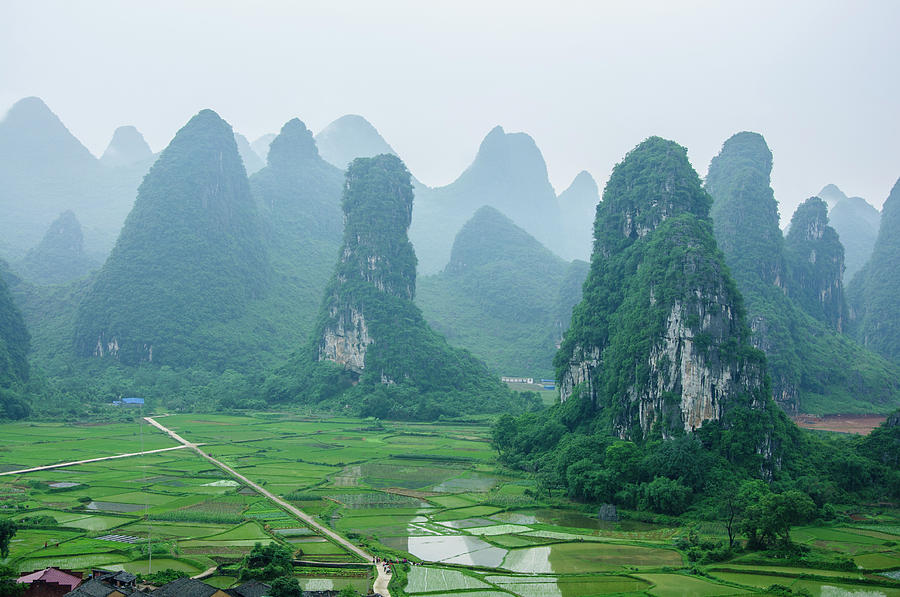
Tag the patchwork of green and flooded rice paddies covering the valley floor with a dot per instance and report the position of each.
(432, 494)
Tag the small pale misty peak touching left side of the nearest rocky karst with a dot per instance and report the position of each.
(578, 206)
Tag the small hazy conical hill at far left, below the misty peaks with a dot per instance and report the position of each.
(60, 256)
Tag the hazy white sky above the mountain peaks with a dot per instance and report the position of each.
(587, 79)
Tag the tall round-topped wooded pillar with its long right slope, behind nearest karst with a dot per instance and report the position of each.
(813, 367)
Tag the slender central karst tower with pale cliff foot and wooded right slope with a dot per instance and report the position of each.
(370, 330)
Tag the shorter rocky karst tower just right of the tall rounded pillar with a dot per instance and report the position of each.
(816, 260)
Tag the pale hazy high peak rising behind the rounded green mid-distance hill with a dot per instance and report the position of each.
(509, 174)
